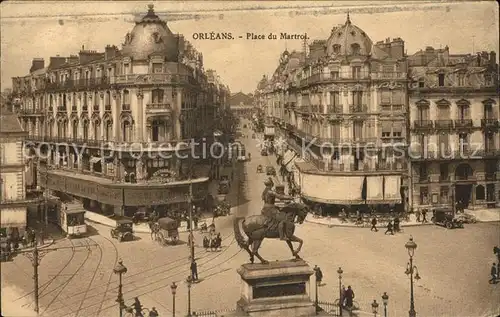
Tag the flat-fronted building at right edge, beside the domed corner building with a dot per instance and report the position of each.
(454, 128)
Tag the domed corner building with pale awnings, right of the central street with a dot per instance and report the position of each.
(341, 105)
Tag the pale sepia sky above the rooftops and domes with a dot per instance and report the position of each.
(49, 28)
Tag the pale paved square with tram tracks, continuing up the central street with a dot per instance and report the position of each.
(454, 265)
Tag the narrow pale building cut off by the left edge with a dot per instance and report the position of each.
(13, 202)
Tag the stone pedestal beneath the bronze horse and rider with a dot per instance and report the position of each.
(276, 289)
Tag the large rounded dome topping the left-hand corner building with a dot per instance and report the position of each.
(151, 35)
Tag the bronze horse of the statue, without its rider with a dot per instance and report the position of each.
(258, 227)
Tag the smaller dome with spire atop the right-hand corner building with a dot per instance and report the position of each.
(348, 39)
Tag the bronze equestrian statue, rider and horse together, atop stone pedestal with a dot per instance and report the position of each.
(273, 223)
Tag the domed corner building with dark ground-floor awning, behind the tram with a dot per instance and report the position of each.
(98, 121)
